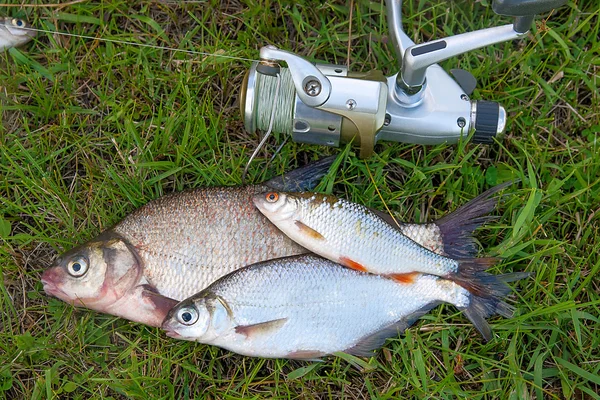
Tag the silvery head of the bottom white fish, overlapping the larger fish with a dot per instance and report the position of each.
(199, 318)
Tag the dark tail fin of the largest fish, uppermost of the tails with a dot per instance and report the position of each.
(457, 227)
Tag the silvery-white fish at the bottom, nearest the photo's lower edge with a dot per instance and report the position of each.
(306, 307)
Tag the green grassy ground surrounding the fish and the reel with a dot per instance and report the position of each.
(92, 130)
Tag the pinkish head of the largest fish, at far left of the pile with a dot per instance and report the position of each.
(94, 275)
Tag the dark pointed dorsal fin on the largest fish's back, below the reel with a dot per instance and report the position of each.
(304, 178)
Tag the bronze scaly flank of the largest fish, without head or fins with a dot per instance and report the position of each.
(208, 232)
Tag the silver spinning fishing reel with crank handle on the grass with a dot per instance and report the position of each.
(421, 104)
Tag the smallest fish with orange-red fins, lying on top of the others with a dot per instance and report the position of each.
(359, 238)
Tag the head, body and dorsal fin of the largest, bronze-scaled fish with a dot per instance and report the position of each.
(173, 247)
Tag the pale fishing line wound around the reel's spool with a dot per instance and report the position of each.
(268, 103)
